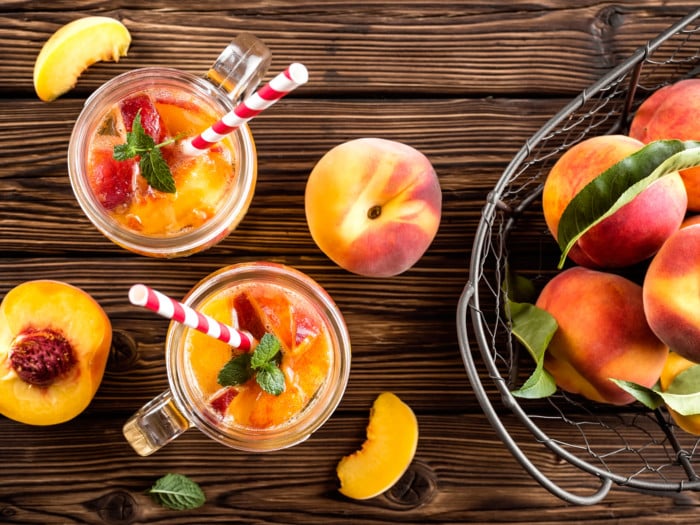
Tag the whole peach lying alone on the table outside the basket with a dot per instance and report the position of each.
(373, 206)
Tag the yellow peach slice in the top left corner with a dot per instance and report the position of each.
(73, 48)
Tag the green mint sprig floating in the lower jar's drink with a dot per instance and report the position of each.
(261, 363)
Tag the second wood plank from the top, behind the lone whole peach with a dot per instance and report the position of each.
(468, 141)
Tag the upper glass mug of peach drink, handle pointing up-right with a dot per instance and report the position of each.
(205, 195)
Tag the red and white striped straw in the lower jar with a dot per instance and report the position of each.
(142, 295)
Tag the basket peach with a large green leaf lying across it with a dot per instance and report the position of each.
(633, 233)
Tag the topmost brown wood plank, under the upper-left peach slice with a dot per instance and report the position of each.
(346, 54)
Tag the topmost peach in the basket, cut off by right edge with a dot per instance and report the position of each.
(673, 112)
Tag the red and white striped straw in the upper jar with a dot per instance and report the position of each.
(291, 78)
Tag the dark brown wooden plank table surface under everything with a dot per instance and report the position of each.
(464, 82)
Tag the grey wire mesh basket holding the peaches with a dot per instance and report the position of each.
(630, 446)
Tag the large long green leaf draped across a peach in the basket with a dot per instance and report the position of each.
(621, 183)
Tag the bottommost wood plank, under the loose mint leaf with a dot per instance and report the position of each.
(449, 484)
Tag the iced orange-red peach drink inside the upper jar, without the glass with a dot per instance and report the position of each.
(201, 182)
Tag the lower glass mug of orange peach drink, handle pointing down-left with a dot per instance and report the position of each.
(267, 300)
